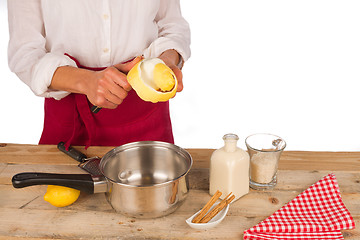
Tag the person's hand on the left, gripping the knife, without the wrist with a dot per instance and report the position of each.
(110, 87)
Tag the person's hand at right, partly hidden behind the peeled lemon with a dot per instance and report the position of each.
(172, 58)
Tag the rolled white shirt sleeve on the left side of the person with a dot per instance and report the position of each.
(27, 54)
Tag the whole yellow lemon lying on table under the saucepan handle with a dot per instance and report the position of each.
(61, 196)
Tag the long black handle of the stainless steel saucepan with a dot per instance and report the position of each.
(82, 182)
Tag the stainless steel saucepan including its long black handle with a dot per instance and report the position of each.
(141, 179)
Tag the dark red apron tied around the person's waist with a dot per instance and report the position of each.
(70, 120)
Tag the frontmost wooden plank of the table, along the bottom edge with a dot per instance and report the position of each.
(90, 224)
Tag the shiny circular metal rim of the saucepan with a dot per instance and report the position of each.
(176, 148)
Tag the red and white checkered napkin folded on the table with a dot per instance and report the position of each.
(317, 213)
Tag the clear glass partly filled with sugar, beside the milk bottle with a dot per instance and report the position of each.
(264, 150)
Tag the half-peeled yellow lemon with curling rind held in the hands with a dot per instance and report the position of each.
(152, 80)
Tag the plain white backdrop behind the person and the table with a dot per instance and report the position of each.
(285, 67)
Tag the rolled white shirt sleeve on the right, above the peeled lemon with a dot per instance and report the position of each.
(174, 31)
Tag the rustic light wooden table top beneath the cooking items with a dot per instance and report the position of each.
(24, 213)
